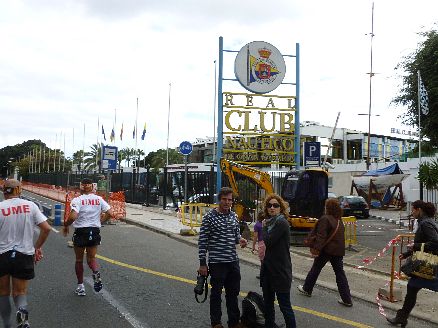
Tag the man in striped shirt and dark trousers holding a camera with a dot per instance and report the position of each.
(218, 237)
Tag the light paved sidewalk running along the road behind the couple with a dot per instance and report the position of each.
(364, 283)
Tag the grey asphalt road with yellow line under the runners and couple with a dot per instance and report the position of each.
(148, 282)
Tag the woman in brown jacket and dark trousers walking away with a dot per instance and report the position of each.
(332, 250)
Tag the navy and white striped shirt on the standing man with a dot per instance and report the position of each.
(218, 236)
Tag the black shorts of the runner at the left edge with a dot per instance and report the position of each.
(17, 265)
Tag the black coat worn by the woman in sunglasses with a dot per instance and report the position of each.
(277, 265)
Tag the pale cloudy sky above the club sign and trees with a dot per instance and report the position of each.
(67, 63)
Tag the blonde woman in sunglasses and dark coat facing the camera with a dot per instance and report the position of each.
(276, 268)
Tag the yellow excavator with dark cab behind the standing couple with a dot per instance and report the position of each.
(305, 191)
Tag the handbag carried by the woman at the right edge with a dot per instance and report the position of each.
(421, 264)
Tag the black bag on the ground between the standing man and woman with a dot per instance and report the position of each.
(253, 311)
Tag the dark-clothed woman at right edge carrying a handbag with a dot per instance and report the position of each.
(427, 233)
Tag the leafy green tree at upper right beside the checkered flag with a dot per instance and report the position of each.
(425, 60)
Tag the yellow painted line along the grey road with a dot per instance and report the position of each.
(192, 282)
